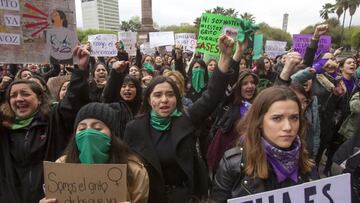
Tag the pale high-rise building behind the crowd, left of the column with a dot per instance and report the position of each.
(100, 14)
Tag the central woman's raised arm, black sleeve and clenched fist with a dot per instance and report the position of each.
(207, 103)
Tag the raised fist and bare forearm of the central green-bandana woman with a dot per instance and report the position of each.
(226, 45)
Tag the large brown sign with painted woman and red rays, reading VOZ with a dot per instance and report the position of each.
(31, 33)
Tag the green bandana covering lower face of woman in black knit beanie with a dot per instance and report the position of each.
(93, 146)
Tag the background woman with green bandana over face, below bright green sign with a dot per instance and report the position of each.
(197, 79)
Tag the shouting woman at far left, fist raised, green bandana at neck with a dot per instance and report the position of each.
(33, 130)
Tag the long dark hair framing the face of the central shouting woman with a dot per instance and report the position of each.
(146, 107)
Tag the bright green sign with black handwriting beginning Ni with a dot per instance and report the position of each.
(211, 27)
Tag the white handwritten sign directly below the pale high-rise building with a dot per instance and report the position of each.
(103, 45)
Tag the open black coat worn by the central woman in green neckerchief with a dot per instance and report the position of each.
(137, 136)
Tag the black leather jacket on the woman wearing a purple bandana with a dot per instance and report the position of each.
(231, 182)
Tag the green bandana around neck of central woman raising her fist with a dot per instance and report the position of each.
(162, 123)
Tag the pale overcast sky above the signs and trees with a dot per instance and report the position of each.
(173, 12)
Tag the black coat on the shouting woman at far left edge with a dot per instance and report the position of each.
(22, 156)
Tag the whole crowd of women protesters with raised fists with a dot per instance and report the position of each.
(189, 130)
